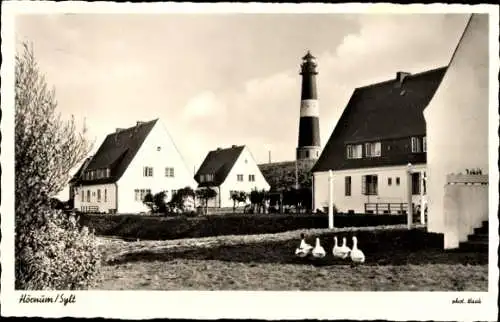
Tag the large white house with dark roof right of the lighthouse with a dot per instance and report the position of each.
(381, 130)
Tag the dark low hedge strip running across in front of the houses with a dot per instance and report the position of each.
(162, 228)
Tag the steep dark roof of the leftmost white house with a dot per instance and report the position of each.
(116, 153)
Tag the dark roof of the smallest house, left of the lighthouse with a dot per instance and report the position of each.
(218, 163)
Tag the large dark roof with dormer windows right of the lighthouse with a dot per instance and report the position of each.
(382, 111)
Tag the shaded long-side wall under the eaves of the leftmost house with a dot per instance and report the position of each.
(104, 205)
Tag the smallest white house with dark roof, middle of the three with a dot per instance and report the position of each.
(229, 170)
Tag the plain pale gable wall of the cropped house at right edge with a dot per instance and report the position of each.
(457, 128)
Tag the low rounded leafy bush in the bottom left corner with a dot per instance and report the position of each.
(59, 255)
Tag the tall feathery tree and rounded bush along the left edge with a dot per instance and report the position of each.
(52, 251)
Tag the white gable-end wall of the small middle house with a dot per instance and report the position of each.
(245, 165)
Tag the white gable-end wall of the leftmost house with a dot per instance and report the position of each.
(148, 155)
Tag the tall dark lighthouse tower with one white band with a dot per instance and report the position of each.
(309, 140)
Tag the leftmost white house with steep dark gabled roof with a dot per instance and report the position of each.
(130, 163)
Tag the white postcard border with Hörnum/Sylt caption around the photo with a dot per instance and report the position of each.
(239, 304)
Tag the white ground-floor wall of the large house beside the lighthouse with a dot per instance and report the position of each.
(386, 193)
